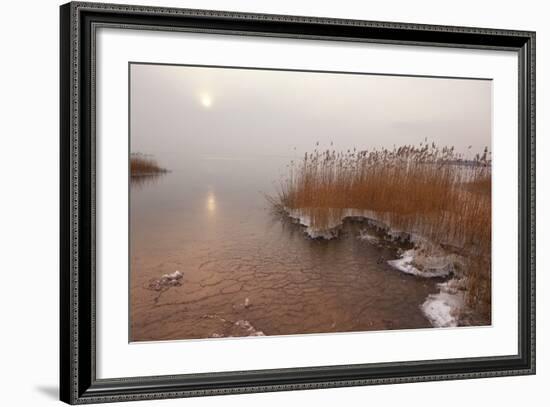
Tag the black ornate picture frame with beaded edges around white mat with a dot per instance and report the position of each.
(78, 381)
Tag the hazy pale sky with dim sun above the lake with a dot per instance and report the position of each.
(194, 112)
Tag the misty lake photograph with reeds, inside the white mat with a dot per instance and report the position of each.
(268, 202)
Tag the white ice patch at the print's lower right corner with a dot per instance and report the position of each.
(444, 308)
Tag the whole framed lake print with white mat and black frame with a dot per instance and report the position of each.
(258, 202)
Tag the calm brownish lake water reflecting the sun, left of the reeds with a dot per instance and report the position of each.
(246, 271)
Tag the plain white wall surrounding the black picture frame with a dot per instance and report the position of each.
(29, 163)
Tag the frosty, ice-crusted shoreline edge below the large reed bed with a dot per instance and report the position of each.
(425, 260)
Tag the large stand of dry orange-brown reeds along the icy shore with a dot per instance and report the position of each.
(427, 190)
